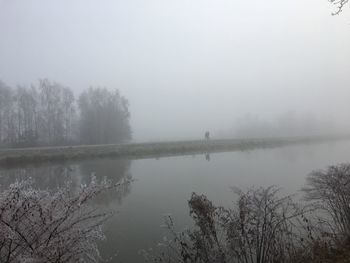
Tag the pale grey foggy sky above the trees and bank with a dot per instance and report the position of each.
(186, 66)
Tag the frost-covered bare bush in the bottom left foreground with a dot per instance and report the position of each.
(44, 226)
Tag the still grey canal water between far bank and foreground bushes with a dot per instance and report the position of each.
(163, 186)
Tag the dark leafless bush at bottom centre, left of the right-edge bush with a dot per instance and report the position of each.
(261, 228)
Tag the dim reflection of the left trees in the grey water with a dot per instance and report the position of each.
(53, 176)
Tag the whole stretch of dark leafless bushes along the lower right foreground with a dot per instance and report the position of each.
(266, 228)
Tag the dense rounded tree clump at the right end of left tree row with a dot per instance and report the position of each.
(104, 117)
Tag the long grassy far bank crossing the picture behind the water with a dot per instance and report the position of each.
(148, 150)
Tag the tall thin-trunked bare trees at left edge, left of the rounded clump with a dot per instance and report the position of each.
(36, 115)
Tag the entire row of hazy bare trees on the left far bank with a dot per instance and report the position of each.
(48, 114)
